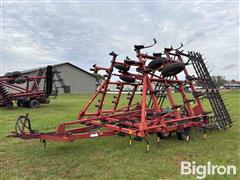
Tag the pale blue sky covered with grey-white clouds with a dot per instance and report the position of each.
(35, 33)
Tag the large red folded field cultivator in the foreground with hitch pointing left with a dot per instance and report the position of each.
(153, 76)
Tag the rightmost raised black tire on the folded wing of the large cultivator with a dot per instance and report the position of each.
(173, 69)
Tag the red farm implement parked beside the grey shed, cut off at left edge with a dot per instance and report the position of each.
(25, 90)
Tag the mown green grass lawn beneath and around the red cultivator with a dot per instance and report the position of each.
(110, 157)
